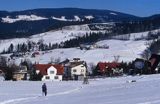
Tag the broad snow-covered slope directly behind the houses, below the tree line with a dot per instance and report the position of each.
(127, 50)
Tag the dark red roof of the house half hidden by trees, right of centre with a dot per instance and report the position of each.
(103, 65)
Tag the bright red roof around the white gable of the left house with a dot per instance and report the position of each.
(43, 68)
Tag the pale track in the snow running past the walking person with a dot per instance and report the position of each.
(11, 101)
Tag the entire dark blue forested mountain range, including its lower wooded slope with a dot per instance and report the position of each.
(29, 22)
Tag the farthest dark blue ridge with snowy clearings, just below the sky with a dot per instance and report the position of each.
(64, 14)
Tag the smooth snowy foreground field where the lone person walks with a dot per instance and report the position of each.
(99, 91)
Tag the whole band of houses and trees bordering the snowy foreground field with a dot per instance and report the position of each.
(75, 69)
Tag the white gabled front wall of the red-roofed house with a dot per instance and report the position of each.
(52, 75)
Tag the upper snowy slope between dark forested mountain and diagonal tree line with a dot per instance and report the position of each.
(56, 36)
